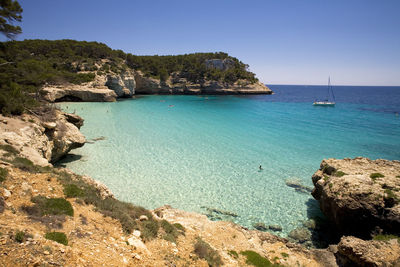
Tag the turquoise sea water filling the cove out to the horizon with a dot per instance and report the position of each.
(193, 152)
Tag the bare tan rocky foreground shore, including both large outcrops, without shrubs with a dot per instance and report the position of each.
(343, 188)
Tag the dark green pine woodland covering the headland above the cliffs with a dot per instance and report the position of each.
(26, 66)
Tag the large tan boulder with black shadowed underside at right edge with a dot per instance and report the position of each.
(361, 196)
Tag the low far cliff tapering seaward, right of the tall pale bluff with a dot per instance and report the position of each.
(177, 85)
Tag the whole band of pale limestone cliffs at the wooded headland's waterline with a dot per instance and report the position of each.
(110, 87)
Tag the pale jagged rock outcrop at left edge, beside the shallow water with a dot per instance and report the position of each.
(40, 138)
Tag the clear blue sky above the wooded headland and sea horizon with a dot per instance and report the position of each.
(285, 42)
